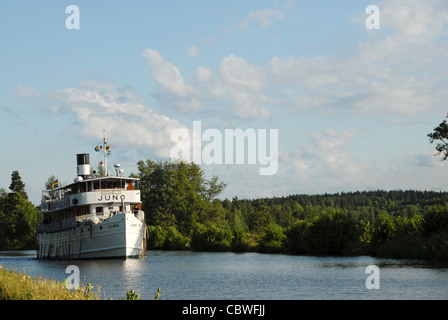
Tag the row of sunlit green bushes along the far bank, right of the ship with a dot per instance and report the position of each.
(332, 232)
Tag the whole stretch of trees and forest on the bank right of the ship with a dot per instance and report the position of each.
(183, 213)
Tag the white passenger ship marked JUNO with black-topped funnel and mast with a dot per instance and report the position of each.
(94, 217)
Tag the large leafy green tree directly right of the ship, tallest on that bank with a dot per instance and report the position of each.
(176, 194)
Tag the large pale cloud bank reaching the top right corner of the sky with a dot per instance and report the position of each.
(398, 70)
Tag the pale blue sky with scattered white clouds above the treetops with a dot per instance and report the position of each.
(352, 106)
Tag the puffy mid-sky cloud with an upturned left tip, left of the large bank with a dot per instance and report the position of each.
(235, 84)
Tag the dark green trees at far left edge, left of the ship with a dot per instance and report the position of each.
(17, 217)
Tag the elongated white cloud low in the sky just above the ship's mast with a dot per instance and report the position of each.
(105, 106)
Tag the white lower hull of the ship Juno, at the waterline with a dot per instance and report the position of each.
(120, 236)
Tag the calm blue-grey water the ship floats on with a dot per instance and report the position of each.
(197, 275)
